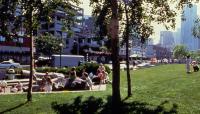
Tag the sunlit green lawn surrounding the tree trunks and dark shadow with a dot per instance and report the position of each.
(153, 86)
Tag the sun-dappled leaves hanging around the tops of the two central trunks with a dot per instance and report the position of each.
(141, 16)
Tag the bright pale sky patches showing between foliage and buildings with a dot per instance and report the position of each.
(157, 28)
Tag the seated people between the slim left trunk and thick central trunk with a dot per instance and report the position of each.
(72, 81)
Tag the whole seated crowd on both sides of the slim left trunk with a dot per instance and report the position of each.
(83, 81)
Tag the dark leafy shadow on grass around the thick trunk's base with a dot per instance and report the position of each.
(94, 105)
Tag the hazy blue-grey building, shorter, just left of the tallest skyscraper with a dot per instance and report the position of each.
(167, 39)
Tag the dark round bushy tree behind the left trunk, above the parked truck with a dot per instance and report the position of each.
(47, 44)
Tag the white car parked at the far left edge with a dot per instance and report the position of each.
(9, 64)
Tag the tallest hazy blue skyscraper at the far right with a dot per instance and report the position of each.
(187, 23)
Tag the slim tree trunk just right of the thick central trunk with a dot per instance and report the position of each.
(127, 52)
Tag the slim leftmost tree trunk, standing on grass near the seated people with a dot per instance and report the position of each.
(29, 94)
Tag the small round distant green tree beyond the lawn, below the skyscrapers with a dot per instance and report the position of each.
(180, 51)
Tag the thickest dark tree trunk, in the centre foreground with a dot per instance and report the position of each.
(113, 31)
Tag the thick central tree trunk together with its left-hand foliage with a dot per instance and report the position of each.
(110, 7)
